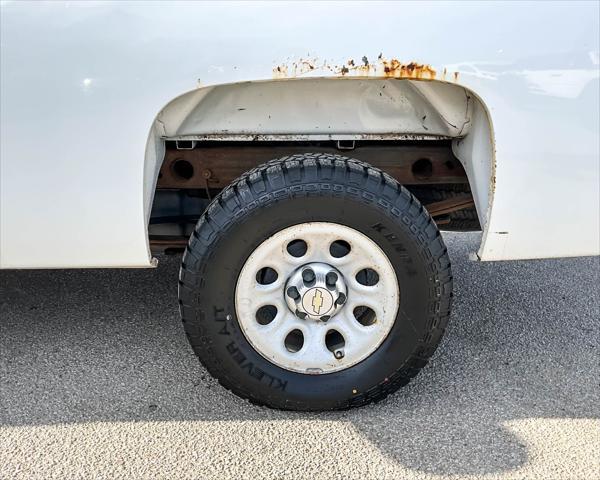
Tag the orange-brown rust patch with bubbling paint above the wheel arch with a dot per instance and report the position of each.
(380, 67)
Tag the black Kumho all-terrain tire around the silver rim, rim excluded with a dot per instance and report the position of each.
(286, 192)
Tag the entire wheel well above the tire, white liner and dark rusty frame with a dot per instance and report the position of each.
(435, 138)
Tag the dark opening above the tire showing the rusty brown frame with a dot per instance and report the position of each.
(190, 178)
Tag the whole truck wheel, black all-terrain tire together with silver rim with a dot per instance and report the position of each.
(315, 282)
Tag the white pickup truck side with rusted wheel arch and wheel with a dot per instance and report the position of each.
(306, 173)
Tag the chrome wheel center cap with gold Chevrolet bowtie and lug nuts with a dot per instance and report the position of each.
(315, 291)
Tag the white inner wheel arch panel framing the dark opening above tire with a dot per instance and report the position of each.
(339, 108)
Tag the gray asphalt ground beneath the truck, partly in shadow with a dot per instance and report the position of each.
(98, 381)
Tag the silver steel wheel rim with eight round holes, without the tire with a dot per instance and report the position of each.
(317, 298)
